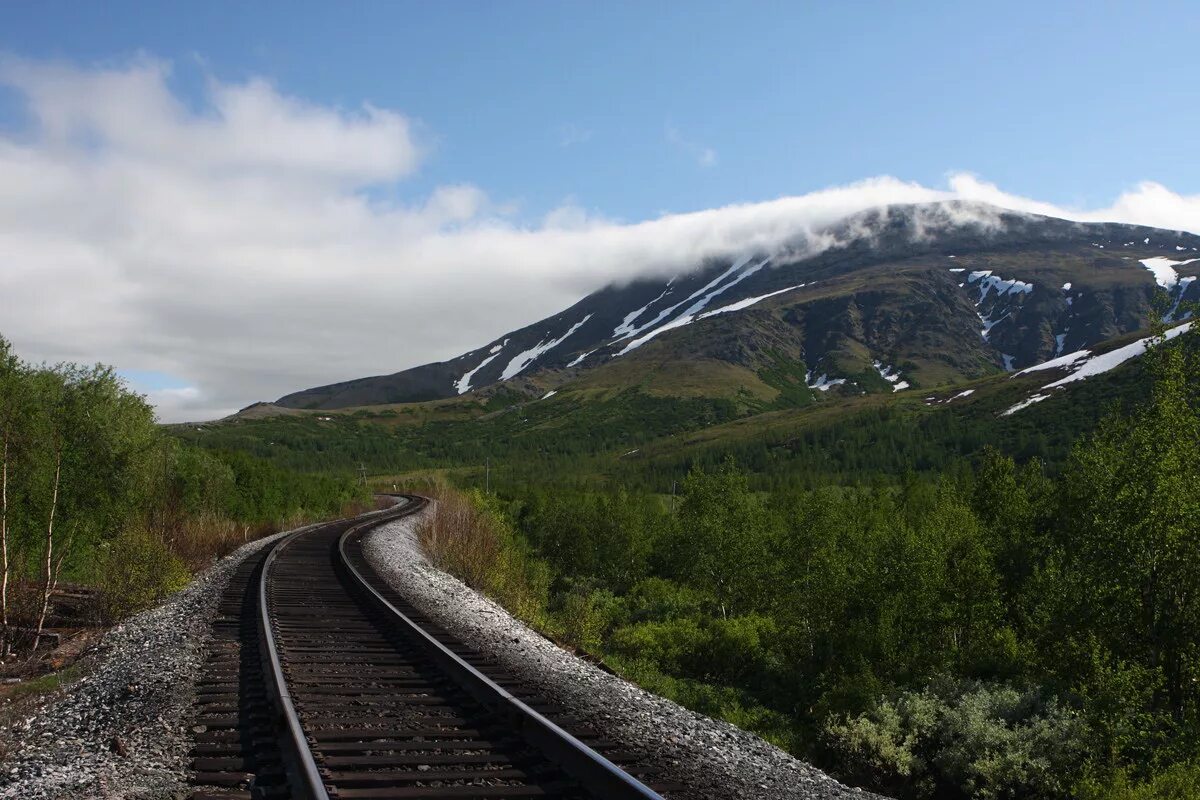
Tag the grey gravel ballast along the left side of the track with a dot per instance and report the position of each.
(124, 730)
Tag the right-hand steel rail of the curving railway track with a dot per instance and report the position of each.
(578, 760)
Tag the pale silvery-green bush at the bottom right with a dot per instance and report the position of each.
(981, 741)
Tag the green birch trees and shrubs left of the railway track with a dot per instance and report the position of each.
(94, 494)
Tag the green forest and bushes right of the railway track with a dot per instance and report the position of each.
(997, 630)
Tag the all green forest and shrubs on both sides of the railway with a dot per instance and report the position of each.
(982, 624)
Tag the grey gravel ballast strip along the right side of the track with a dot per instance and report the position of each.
(715, 760)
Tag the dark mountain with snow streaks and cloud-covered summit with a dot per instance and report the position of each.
(898, 298)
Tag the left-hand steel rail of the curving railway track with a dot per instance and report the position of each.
(308, 781)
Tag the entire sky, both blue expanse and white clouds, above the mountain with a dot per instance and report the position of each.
(235, 201)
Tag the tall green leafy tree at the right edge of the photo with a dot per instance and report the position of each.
(1130, 534)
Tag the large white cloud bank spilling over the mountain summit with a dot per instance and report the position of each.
(233, 243)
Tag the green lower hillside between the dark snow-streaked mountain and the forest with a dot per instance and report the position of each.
(587, 436)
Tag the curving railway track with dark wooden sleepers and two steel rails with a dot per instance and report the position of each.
(321, 682)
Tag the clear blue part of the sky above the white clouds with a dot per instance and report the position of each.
(615, 105)
